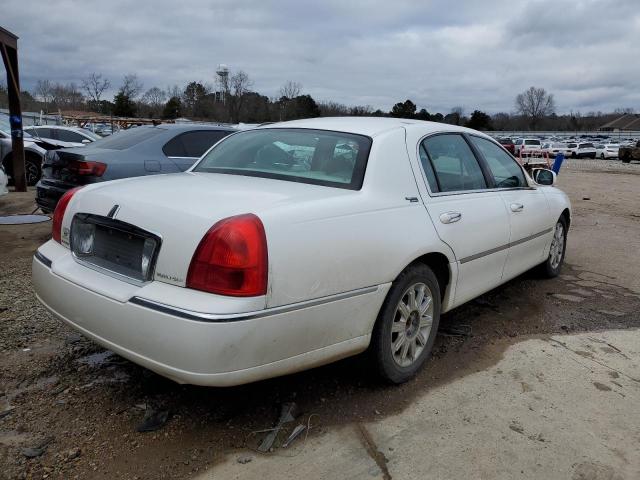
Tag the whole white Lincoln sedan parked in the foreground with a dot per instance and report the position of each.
(297, 244)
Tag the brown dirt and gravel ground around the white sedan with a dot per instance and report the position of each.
(69, 409)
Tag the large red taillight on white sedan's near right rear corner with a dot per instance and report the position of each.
(231, 258)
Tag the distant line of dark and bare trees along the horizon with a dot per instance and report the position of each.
(233, 100)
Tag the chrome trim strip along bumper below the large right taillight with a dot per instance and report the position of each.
(236, 317)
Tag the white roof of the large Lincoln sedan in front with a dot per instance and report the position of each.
(369, 126)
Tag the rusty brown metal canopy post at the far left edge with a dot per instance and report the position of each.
(9, 51)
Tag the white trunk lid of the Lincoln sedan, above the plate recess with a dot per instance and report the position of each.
(180, 220)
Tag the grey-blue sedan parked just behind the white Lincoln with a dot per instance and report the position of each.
(146, 150)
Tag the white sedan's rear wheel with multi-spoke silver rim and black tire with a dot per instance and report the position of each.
(406, 327)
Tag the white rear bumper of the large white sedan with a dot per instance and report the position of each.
(190, 347)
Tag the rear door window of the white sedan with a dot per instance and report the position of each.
(453, 163)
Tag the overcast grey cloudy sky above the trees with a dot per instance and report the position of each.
(440, 54)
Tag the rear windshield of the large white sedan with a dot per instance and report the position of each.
(318, 157)
